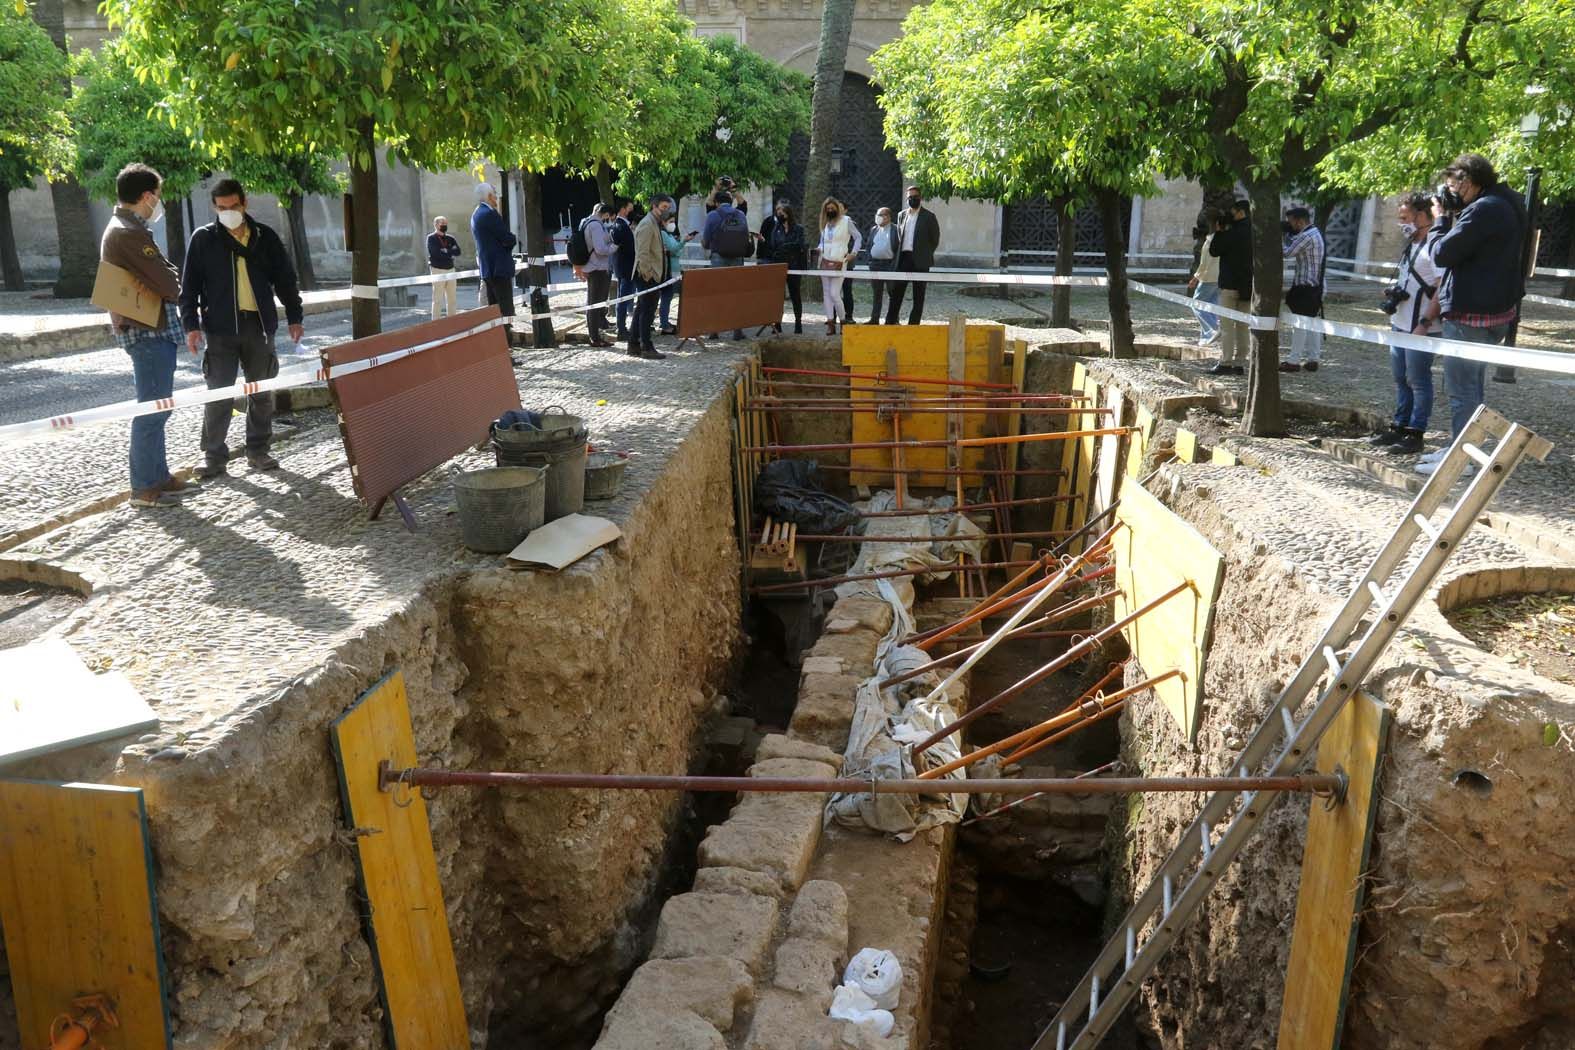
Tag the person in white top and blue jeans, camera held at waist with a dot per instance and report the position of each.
(1412, 305)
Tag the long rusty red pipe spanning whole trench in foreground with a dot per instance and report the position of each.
(417, 777)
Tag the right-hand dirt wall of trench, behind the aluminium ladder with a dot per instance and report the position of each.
(1466, 937)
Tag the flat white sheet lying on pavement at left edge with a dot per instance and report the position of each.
(50, 701)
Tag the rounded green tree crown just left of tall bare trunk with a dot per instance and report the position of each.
(747, 108)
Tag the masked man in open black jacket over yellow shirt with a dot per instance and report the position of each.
(234, 270)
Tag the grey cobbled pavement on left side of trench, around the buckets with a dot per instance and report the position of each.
(289, 564)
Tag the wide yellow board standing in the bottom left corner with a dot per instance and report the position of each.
(80, 909)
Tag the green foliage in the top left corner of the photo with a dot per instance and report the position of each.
(35, 131)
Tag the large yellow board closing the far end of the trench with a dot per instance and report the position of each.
(922, 352)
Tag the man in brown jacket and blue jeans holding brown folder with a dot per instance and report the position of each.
(128, 243)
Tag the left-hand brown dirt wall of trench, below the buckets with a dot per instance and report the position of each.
(612, 665)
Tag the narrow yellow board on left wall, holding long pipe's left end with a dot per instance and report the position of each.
(407, 923)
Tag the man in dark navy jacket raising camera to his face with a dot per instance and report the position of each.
(1480, 253)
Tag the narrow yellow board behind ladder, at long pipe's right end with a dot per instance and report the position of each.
(1330, 901)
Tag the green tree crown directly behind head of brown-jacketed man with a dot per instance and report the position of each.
(122, 120)
